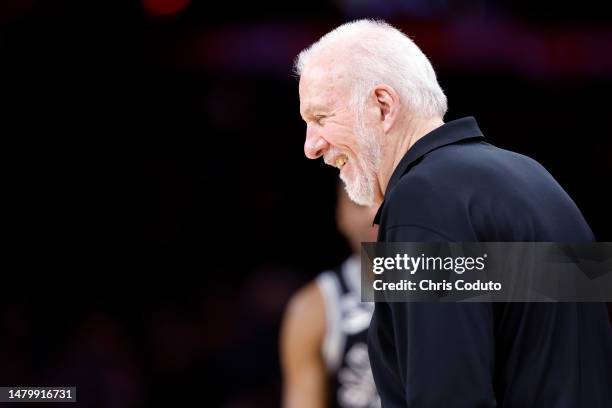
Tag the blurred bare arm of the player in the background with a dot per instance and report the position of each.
(302, 334)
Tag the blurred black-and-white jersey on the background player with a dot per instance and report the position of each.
(345, 348)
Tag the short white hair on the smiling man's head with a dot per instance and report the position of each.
(375, 52)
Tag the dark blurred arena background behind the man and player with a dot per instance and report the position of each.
(158, 207)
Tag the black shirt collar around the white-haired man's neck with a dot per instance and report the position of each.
(449, 133)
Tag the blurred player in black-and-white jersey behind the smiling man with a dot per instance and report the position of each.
(324, 334)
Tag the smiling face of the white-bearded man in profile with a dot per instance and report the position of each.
(336, 133)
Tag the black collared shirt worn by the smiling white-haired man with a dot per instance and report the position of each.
(454, 186)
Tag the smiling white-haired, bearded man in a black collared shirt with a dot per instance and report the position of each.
(374, 109)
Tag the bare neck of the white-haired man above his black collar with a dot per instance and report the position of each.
(414, 130)
